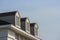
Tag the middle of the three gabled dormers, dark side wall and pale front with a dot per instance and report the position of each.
(25, 24)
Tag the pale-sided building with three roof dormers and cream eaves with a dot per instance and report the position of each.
(13, 27)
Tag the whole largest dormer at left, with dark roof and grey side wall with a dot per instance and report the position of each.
(12, 17)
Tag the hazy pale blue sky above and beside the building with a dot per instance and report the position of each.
(44, 12)
